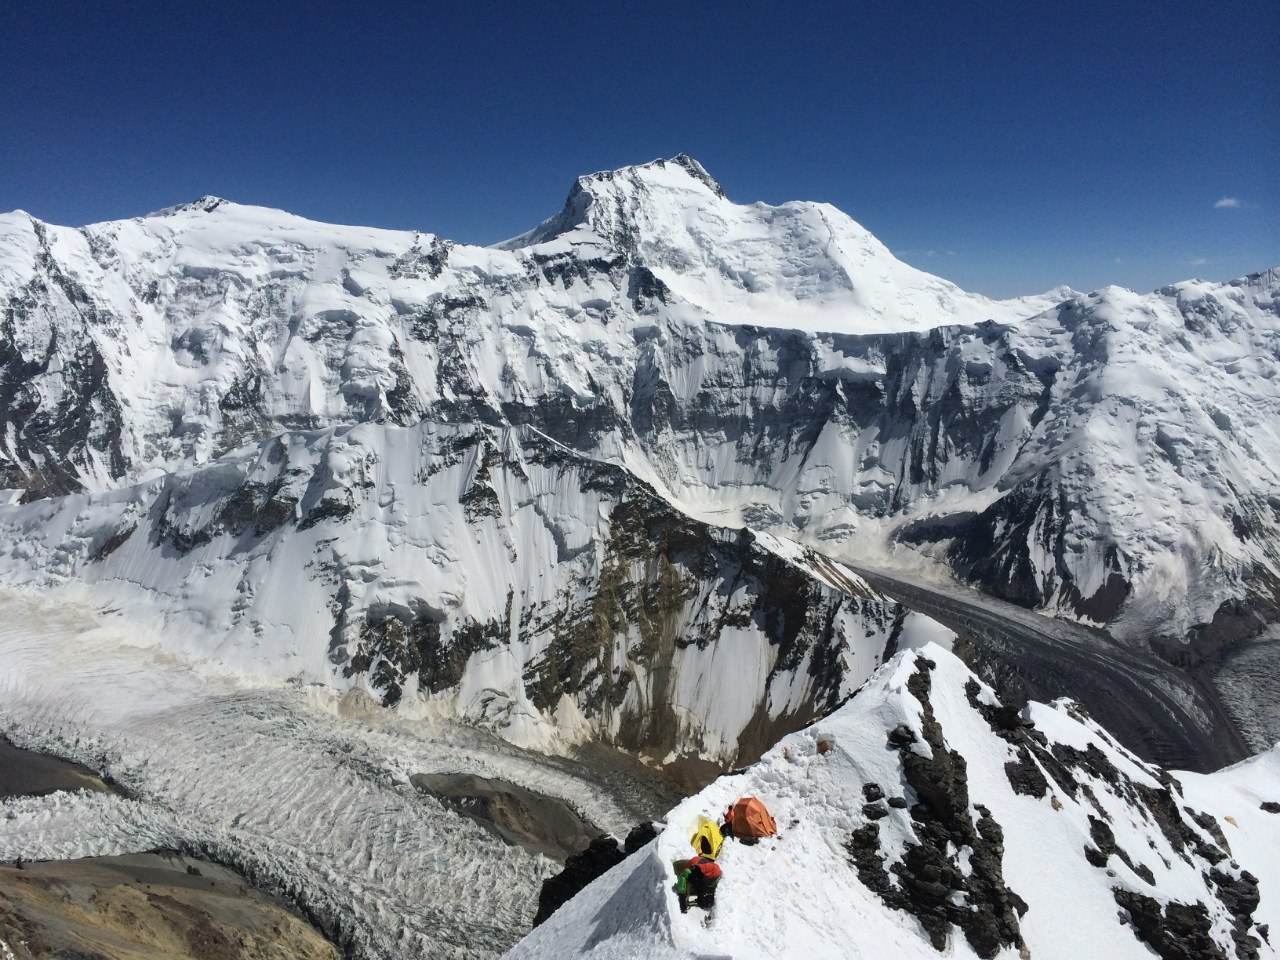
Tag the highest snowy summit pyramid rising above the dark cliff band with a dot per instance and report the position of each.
(799, 266)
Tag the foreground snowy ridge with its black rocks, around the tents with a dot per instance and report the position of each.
(943, 821)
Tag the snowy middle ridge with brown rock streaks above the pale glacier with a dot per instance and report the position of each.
(474, 573)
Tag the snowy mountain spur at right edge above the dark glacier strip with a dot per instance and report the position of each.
(1149, 495)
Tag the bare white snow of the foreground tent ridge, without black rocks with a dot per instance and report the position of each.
(799, 894)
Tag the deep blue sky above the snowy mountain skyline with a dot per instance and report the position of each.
(1007, 147)
